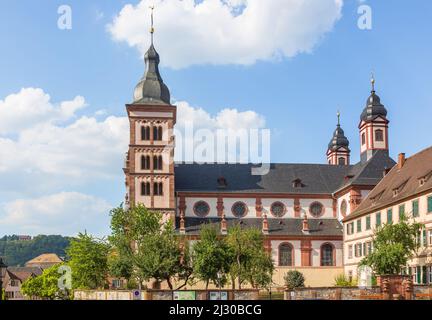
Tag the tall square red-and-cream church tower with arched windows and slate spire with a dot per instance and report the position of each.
(149, 164)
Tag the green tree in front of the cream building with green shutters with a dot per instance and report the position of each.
(394, 245)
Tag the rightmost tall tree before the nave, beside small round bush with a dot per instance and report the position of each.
(250, 261)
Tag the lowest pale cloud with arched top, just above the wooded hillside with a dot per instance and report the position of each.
(67, 213)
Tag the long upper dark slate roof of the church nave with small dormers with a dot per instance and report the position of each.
(315, 178)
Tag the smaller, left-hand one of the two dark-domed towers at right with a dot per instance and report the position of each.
(338, 152)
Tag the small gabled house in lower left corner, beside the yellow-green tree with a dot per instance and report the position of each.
(15, 277)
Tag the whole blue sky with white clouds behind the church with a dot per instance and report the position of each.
(283, 65)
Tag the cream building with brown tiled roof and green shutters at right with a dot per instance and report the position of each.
(405, 190)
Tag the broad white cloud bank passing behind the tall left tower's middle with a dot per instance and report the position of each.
(47, 149)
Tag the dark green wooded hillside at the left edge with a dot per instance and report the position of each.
(17, 252)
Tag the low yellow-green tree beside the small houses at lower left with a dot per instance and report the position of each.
(46, 286)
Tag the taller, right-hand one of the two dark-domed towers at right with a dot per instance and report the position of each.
(373, 126)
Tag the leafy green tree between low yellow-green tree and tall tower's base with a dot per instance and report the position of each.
(88, 259)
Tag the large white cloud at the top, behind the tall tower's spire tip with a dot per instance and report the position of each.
(227, 31)
